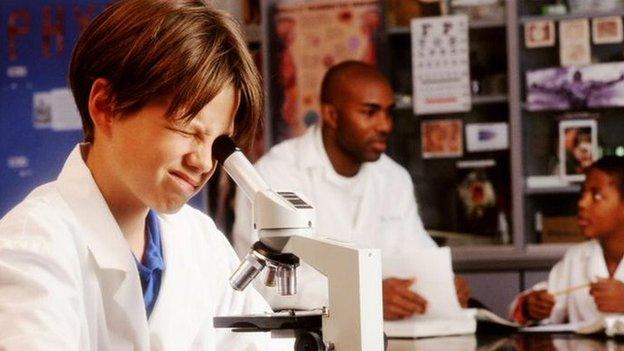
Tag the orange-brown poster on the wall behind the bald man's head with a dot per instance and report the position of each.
(308, 38)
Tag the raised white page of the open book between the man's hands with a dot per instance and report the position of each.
(435, 282)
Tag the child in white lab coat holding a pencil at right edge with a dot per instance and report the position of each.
(588, 281)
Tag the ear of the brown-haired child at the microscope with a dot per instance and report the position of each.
(101, 105)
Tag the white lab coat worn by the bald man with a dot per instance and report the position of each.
(376, 209)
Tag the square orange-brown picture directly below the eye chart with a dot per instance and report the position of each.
(442, 138)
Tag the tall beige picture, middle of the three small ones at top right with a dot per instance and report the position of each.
(574, 46)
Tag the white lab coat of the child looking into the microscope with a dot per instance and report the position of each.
(68, 280)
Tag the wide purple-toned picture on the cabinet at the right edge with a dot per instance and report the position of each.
(562, 88)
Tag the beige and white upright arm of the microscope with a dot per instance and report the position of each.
(355, 320)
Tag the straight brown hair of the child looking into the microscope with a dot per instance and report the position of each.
(184, 50)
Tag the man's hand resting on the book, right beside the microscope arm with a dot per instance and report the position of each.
(399, 301)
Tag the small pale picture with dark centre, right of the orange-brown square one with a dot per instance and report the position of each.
(486, 137)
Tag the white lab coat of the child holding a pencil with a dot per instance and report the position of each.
(582, 264)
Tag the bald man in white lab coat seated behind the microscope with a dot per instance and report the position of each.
(360, 194)
